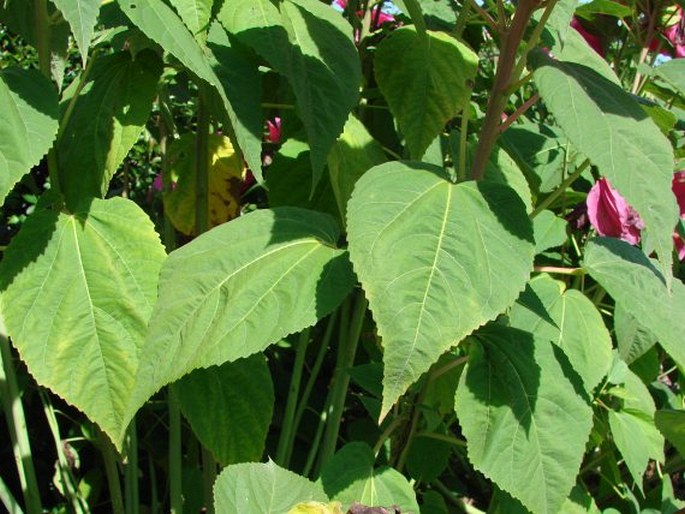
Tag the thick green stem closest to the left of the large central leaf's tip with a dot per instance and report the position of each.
(346, 351)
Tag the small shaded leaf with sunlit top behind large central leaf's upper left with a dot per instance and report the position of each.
(352, 155)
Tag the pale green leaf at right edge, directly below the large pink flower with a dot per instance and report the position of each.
(634, 282)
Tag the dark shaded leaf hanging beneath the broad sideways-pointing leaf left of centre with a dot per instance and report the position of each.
(229, 408)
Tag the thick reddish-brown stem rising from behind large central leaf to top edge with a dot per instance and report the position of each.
(511, 38)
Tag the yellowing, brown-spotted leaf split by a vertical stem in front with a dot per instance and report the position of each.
(225, 178)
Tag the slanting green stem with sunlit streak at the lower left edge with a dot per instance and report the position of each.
(16, 423)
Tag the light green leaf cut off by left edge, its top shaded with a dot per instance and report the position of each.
(28, 123)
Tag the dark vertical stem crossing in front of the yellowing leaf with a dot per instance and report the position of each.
(202, 165)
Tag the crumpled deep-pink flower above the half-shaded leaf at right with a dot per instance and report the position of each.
(610, 214)
